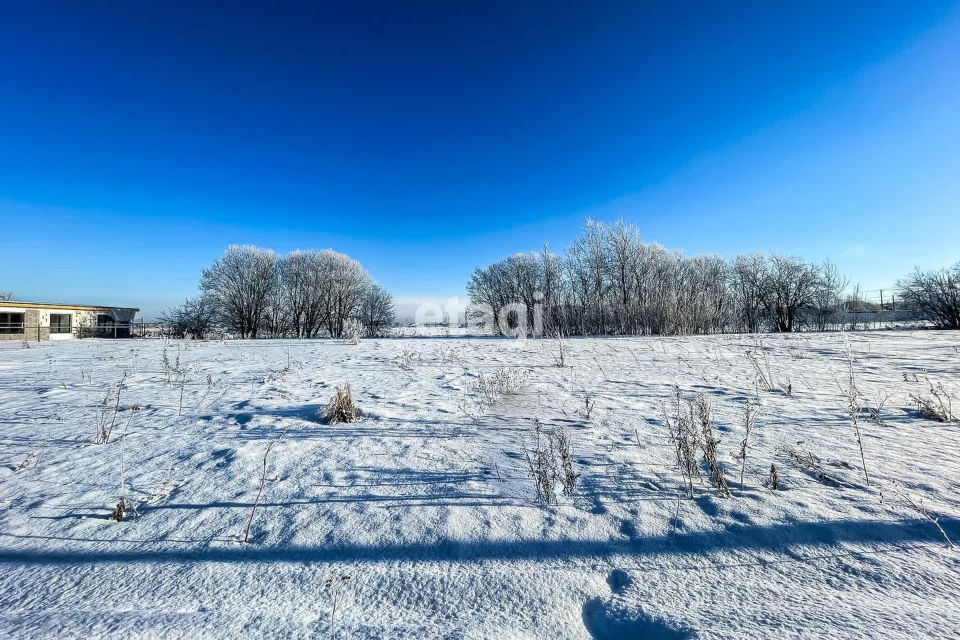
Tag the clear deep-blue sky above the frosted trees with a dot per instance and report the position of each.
(138, 139)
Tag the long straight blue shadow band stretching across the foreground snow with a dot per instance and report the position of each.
(731, 538)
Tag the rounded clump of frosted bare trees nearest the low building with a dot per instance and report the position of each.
(255, 292)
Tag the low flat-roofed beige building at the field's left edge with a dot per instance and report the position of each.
(44, 321)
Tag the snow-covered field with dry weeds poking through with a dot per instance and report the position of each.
(427, 504)
